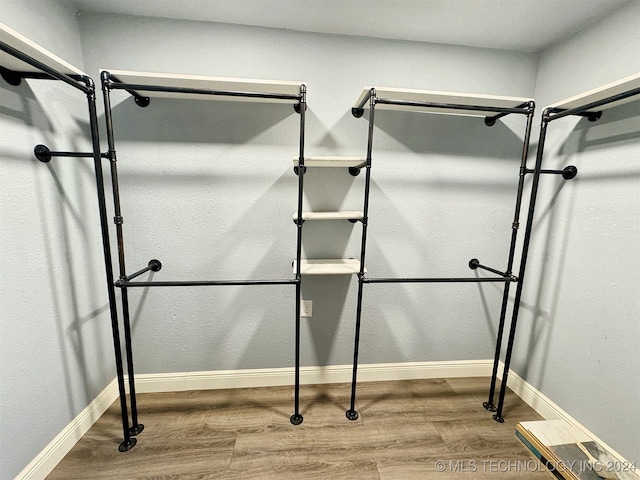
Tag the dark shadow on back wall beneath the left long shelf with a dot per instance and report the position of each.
(193, 121)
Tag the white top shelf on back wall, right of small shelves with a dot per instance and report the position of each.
(450, 98)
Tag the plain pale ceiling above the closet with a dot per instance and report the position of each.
(521, 25)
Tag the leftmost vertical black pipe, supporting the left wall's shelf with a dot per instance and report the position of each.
(128, 442)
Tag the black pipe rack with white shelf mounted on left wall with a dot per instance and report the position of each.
(21, 58)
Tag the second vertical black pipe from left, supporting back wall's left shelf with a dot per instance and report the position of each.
(136, 427)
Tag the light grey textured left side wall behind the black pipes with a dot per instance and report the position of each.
(55, 353)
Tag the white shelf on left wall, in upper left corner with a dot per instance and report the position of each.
(32, 49)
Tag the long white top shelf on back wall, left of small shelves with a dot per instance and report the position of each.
(218, 84)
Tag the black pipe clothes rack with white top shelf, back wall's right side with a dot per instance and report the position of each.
(490, 108)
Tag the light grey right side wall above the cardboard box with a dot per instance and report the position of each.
(579, 333)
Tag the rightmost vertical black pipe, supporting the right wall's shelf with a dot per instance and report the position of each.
(523, 263)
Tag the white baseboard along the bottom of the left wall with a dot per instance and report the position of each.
(51, 455)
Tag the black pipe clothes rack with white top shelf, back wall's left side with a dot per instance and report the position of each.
(143, 86)
